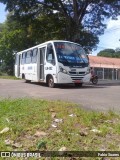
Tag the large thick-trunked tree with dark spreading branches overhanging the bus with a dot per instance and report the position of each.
(83, 18)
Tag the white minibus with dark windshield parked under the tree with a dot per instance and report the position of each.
(53, 62)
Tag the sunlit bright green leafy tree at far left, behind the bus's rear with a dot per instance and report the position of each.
(12, 38)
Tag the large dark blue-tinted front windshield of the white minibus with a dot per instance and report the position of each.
(70, 54)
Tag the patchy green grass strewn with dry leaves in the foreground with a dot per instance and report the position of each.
(25, 117)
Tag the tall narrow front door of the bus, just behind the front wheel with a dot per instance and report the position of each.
(41, 63)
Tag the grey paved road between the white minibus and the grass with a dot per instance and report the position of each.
(102, 97)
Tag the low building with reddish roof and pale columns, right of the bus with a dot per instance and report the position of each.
(105, 68)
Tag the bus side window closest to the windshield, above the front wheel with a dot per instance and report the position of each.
(50, 54)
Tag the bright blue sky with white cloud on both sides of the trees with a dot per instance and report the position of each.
(110, 39)
